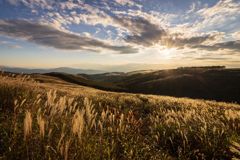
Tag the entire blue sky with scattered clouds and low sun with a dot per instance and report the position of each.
(119, 35)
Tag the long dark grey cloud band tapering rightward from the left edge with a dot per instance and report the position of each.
(49, 36)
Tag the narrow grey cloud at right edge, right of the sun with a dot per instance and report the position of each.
(231, 45)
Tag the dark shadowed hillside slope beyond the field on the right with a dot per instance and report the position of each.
(201, 83)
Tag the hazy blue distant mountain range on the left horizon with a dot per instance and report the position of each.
(60, 69)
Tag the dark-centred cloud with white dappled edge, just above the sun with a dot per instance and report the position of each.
(141, 31)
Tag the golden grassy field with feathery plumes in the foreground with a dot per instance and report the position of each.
(56, 119)
